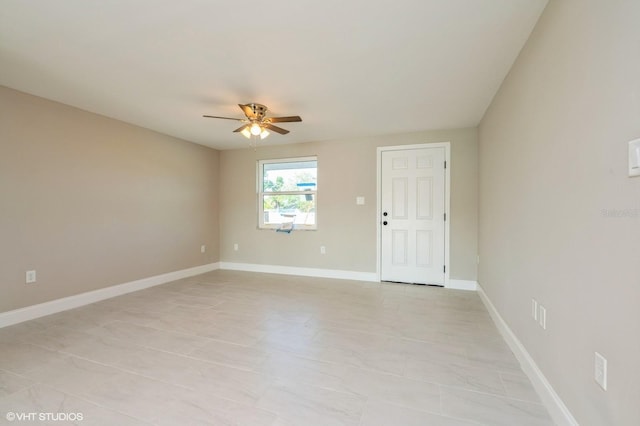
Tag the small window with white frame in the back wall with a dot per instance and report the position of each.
(287, 193)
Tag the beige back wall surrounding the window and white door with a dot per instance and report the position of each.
(347, 169)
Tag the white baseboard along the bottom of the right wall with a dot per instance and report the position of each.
(558, 411)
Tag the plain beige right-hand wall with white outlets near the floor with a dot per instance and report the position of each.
(553, 161)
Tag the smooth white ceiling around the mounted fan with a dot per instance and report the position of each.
(350, 68)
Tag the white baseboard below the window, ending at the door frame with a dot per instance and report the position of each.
(306, 272)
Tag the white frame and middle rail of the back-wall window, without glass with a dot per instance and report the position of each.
(261, 193)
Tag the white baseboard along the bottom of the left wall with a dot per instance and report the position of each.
(75, 301)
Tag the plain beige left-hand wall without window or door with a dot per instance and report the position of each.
(90, 202)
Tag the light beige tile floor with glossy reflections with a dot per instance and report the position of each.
(237, 348)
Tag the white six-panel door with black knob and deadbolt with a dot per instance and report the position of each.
(413, 215)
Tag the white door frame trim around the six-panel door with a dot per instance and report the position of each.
(447, 201)
